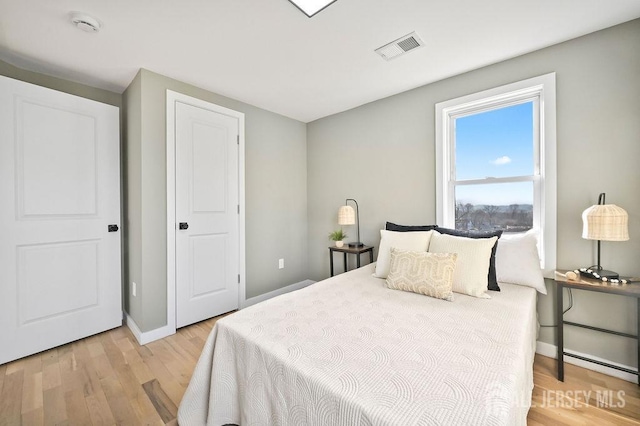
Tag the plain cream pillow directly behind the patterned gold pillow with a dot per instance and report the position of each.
(474, 255)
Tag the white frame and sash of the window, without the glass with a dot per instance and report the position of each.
(541, 90)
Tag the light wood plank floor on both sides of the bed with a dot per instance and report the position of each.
(109, 379)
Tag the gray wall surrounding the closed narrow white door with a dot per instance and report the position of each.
(275, 195)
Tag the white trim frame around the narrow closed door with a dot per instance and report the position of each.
(172, 99)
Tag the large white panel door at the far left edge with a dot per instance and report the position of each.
(59, 191)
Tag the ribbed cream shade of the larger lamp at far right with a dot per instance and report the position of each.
(606, 222)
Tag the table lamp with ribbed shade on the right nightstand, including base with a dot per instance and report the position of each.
(604, 222)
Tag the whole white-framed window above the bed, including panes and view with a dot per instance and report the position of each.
(496, 165)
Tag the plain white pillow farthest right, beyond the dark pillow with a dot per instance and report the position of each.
(518, 262)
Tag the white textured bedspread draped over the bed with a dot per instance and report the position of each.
(349, 351)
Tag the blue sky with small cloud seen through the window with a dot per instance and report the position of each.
(496, 143)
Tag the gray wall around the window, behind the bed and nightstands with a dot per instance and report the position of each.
(382, 154)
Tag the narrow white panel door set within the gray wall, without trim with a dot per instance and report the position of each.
(207, 228)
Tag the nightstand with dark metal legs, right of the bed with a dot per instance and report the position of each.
(629, 290)
